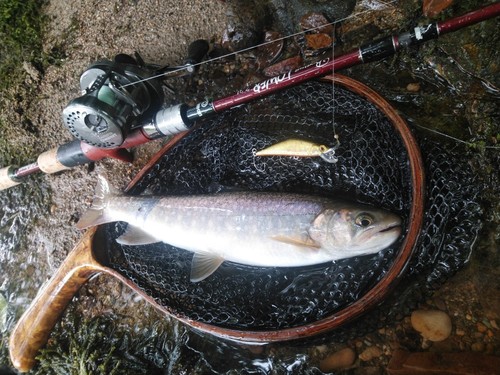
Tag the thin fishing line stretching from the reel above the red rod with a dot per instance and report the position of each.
(359, 14)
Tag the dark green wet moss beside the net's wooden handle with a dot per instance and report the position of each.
(100, 346)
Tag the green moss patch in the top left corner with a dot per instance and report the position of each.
(21, 24)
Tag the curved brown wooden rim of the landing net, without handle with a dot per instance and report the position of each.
(379, 291)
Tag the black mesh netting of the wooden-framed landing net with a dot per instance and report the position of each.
(372, 168)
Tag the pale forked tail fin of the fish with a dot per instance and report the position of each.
(97, 213)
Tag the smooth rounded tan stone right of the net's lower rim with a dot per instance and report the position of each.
(433, 325)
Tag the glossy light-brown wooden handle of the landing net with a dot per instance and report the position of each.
(33, 329)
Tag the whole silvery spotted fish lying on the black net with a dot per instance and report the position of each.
(264, 229)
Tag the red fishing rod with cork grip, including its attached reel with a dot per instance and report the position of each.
(117, 109)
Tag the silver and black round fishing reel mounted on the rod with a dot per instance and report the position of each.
(115, 97)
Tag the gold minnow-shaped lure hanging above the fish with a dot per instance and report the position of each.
(299, 148)
